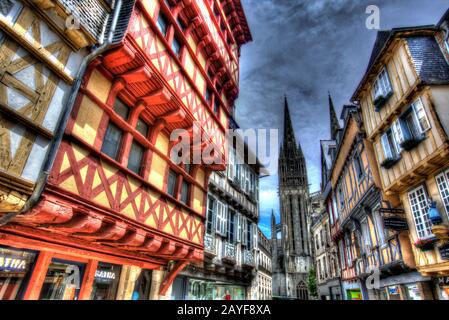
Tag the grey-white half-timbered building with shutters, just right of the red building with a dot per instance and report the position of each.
(230, 239)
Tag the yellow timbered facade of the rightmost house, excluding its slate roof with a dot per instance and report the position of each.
(411, 179)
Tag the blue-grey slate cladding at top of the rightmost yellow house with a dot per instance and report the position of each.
(428, 59)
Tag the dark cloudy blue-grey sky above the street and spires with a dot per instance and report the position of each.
(305, 48)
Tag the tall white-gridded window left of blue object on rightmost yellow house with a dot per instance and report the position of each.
(419, 206)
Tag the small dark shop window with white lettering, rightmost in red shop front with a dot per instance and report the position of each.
(106, 282)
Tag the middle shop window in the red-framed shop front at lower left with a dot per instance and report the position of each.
(63, 280)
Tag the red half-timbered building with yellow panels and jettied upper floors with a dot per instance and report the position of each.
(119, 218)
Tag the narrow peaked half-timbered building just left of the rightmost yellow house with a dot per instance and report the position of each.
(375, 257)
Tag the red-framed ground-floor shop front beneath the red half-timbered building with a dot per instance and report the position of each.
(30, 274)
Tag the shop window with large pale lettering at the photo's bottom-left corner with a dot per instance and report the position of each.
(15, 269)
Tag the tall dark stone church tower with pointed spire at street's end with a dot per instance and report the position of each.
(292, 252)
